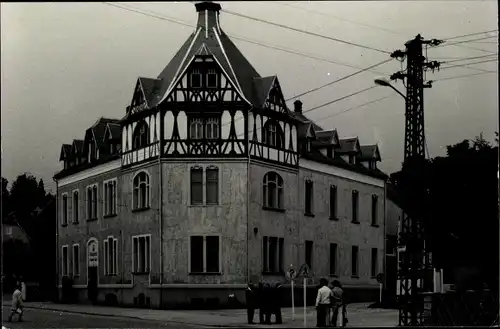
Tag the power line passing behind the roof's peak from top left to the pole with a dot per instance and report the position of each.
(244, 39)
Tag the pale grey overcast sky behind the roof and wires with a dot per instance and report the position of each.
(64, 65)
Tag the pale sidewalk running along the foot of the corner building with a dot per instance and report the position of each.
(358, 315)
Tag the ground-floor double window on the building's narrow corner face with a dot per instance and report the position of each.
(205, 254)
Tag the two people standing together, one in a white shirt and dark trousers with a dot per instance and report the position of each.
(330, 307)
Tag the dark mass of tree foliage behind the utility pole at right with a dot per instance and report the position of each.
(456, 196)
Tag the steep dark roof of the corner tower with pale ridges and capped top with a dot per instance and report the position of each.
(207, 39)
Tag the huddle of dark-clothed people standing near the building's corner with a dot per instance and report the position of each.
(267, 298)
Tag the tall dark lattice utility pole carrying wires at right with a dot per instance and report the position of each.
(414, 262)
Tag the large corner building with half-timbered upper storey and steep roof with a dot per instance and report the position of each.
(209, 181)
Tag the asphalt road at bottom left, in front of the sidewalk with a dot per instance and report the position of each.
(34, 318)
